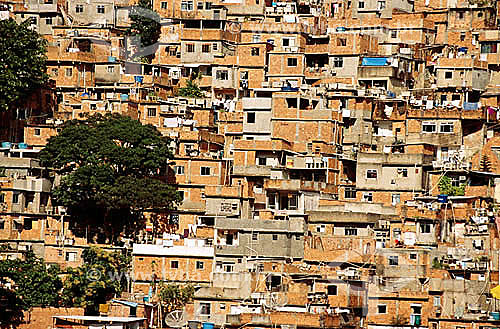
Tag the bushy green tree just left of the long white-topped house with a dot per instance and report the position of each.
(102, 276)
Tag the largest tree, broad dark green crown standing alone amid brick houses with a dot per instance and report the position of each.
(114, 168)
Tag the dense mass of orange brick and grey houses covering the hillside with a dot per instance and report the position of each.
(309, 168)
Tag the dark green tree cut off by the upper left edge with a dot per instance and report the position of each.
(22, 62)
